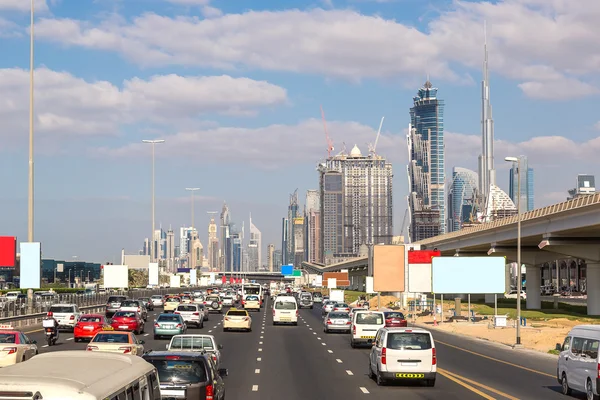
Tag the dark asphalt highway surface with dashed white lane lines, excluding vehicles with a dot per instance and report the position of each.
(297, 362)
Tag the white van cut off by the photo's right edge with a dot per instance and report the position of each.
(578, 365)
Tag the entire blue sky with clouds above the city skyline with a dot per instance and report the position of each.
(234, 87)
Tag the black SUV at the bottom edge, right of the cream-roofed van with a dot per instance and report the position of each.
(194, 373)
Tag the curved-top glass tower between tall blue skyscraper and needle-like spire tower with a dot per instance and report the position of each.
(463, 197)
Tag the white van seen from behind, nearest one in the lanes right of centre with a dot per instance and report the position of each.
(403, 354)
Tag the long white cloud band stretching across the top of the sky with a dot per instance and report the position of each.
(537, 42)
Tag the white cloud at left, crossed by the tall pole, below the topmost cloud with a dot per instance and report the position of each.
(67, 105)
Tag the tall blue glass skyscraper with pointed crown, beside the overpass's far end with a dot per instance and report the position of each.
(426, 167)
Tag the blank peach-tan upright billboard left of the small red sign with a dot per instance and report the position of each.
(388, 268)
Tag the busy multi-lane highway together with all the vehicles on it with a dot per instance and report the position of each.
(269, 343)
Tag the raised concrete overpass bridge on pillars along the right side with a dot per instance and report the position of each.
(567, 229)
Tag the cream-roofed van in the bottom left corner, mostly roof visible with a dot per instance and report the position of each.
(80, 375)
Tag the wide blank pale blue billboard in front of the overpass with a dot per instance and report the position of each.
(468, 275)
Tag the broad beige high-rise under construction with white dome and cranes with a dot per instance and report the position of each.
(356, 203)
